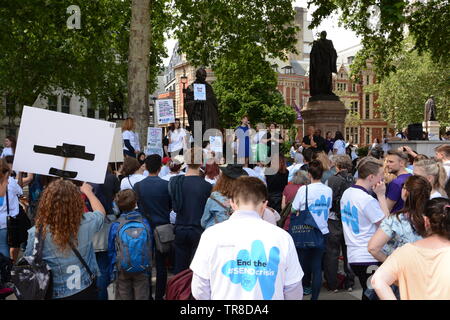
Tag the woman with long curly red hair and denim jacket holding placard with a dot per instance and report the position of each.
(67, 231)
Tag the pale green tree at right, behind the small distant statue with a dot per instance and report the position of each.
(402, 95)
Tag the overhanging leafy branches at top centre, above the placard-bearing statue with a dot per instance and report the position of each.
(210, 29)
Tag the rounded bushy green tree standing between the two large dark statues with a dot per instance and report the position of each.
(249, 88)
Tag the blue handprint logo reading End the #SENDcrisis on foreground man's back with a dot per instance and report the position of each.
(248, 268)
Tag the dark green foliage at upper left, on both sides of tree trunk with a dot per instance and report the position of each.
(40, 54)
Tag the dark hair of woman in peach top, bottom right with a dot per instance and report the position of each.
(438, 212)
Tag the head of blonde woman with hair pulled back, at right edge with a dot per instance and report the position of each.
(434, 172)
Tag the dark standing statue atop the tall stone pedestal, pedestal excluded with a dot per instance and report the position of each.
(322, 63)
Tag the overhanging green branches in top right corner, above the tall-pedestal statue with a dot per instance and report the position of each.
(384, 24)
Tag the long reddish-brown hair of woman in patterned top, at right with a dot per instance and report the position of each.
(419, 190)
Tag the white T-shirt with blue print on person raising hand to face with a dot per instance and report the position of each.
(359, 213)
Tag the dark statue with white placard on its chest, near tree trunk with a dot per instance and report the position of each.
(202, 110)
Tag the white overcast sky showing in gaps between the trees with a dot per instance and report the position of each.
(342, 38)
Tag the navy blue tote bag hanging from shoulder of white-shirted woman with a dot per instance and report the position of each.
(304, 230)
